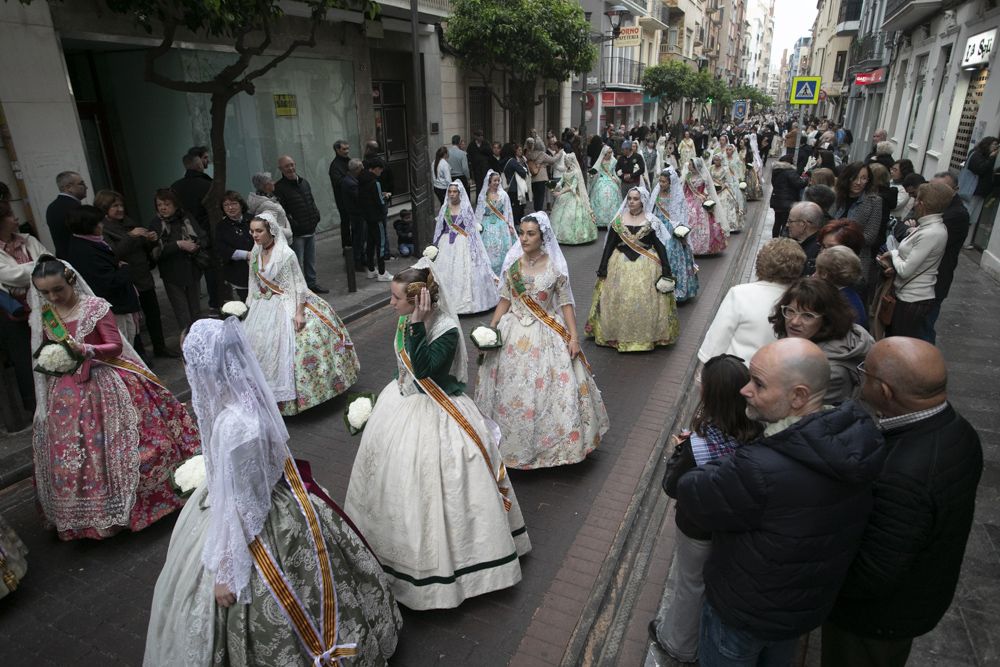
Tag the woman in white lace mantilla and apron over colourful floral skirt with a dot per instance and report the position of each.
(303, 348)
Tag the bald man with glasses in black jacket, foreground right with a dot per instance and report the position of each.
(905, 573)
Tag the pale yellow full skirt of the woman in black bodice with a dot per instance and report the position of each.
(627, 313)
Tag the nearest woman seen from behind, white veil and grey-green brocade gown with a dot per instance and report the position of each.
(305, 590)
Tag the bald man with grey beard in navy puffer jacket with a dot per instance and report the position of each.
(786, 512)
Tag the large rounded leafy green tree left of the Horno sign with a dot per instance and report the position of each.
(527, 42)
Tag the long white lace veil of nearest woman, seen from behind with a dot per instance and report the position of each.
(243, 464)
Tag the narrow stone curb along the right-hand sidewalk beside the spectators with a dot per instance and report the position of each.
(599, 632)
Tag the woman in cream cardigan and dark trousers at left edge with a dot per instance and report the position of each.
(18, 253)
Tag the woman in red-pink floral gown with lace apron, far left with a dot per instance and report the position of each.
(108, 435)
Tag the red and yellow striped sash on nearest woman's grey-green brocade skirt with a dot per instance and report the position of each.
(320, 642)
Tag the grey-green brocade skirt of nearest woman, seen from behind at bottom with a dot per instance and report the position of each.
(187, 628)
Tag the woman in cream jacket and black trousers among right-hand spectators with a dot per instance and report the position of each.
(913, 266)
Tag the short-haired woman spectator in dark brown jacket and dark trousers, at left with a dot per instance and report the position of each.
(138, 248)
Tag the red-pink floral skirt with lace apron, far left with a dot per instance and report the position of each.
(115, 432)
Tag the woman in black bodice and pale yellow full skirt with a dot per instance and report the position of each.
(634, 309)
